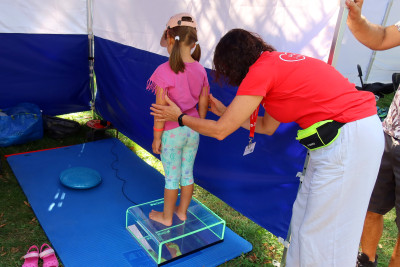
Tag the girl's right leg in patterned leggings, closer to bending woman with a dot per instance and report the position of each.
(188, 157)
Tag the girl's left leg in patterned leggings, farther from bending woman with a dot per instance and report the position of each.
(171, 159)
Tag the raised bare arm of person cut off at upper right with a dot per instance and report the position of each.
(372, 35)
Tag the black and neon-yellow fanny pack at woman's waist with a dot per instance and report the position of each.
(320, 134)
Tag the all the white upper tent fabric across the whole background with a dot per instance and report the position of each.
(304, 27)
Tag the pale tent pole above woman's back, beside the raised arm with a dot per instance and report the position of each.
(338, 35)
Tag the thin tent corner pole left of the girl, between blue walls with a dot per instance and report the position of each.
(91, 53)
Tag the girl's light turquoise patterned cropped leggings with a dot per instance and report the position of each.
(178, 151)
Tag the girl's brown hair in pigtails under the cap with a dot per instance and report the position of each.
(187, 36)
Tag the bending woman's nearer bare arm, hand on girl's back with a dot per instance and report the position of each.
(235, 115)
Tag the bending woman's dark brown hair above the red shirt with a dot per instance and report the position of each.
(235, 53)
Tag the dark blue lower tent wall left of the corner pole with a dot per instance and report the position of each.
(49, 70)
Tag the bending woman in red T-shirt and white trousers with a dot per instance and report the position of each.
(330, 208)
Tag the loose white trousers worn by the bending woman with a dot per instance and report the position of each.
(329, 211)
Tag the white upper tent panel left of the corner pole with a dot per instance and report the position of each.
(43, 16)
